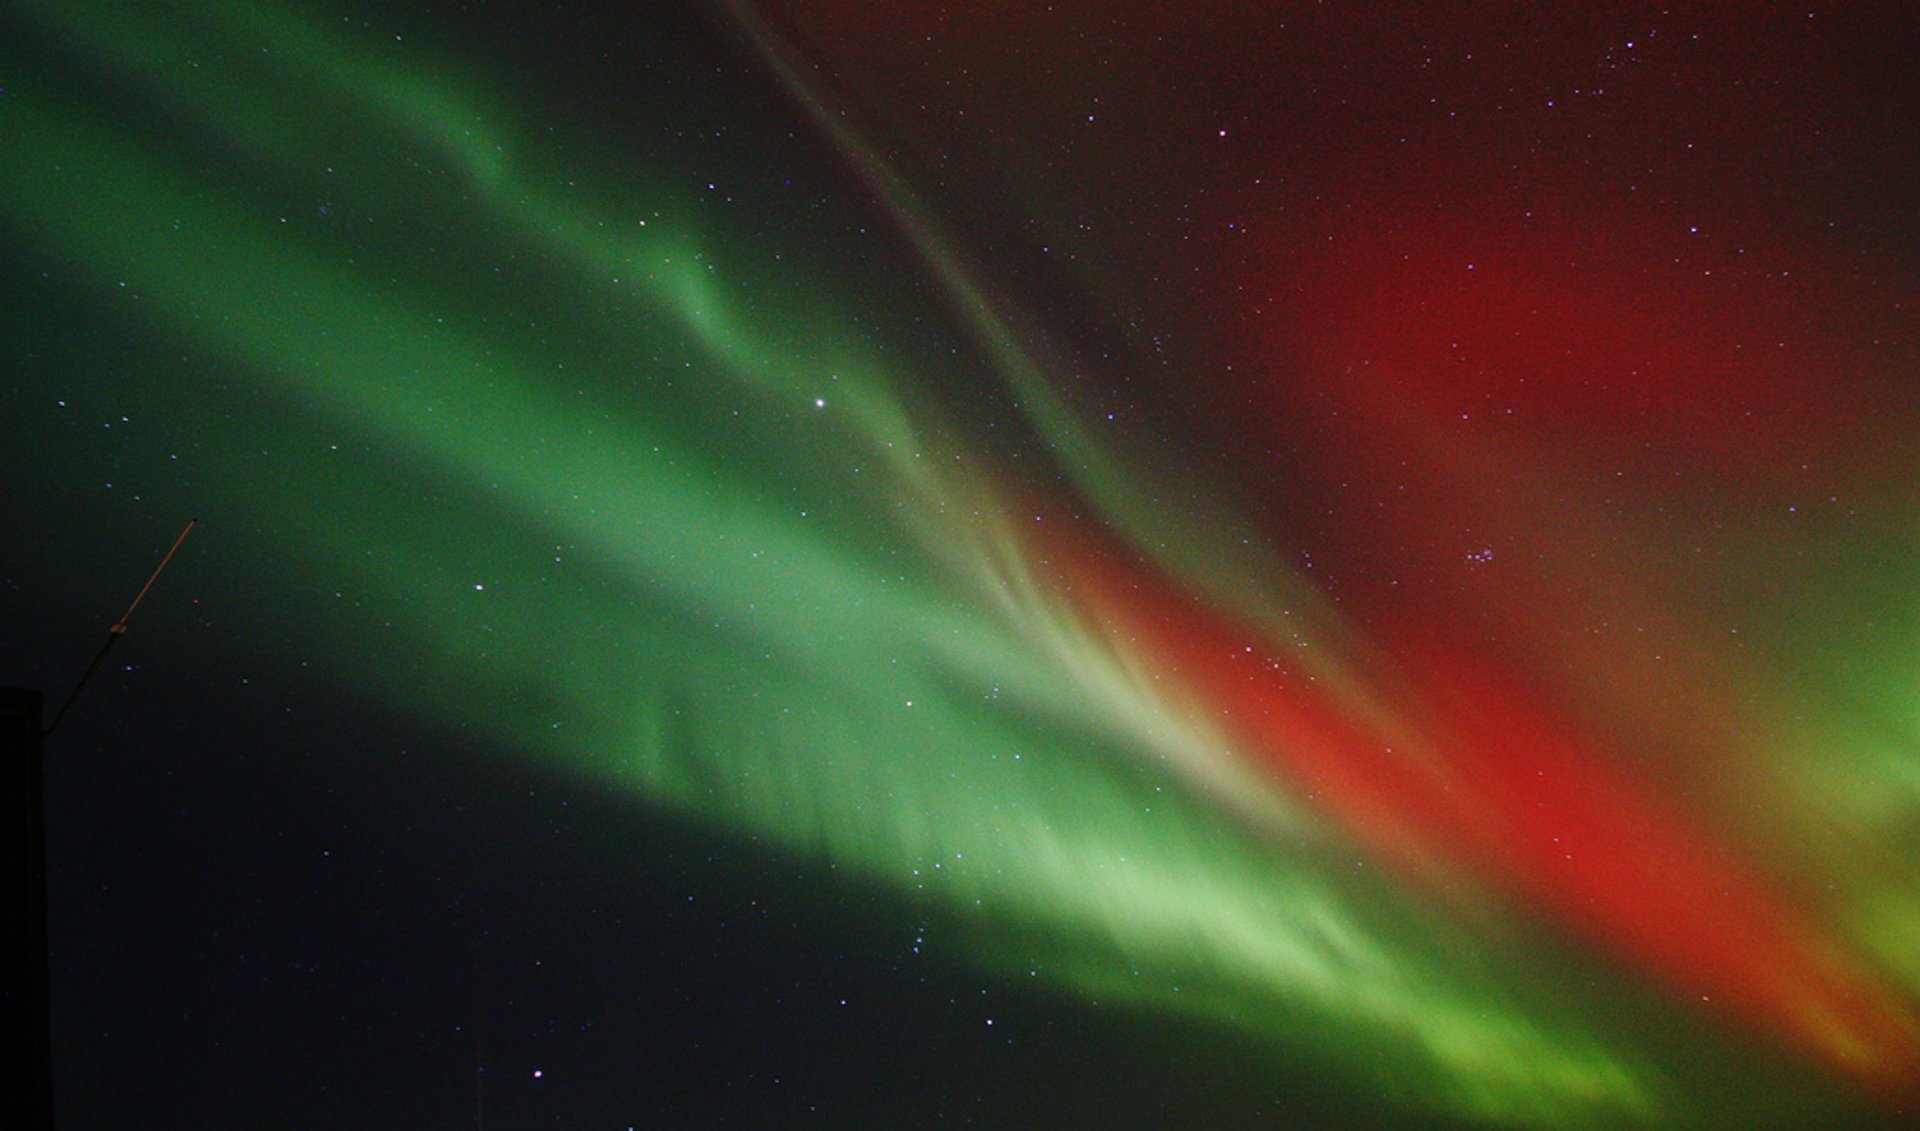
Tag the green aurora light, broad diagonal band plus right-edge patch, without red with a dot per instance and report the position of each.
(642, 468)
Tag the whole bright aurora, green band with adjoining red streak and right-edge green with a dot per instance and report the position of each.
(688, 491)
